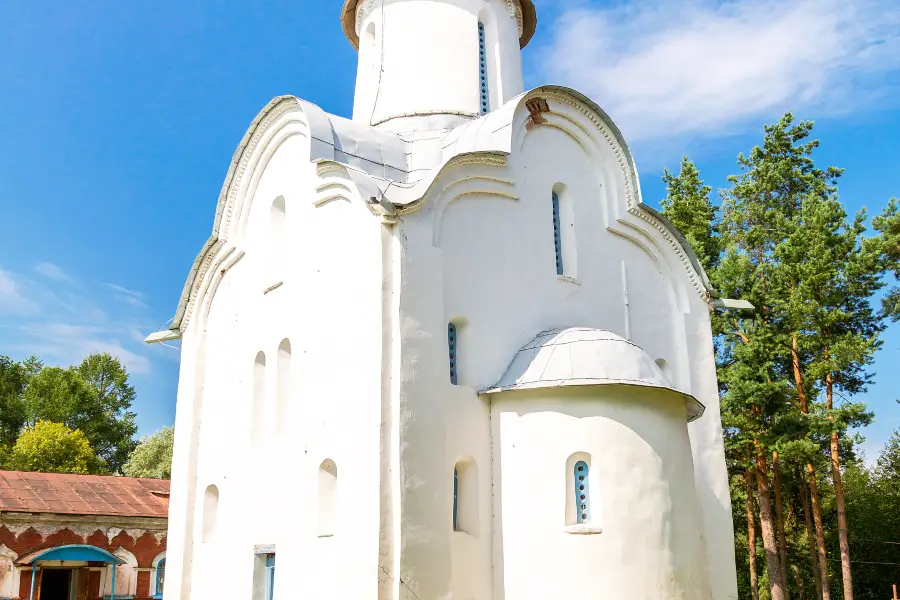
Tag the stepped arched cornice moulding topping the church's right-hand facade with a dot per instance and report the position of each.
(484, 145)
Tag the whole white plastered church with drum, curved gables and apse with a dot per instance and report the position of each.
(442, 350)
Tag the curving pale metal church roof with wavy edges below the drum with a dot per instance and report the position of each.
(383, 166)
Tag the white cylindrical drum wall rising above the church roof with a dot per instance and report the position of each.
(418, 63)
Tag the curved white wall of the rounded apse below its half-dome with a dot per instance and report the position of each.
(644, 538)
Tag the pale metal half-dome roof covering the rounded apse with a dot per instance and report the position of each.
(581, 356)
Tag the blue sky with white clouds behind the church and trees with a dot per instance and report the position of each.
(120, 120)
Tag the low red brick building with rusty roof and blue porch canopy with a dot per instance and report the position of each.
(61, 535)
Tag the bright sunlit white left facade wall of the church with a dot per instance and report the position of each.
(321, 290)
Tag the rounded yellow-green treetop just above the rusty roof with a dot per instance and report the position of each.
(52, 448)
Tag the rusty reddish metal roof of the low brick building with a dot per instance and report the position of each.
(83, 494)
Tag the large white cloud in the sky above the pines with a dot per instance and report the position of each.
(672, 68)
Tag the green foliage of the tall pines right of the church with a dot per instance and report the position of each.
(790, 371)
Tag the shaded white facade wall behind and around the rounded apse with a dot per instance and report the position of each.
(481, 249)
